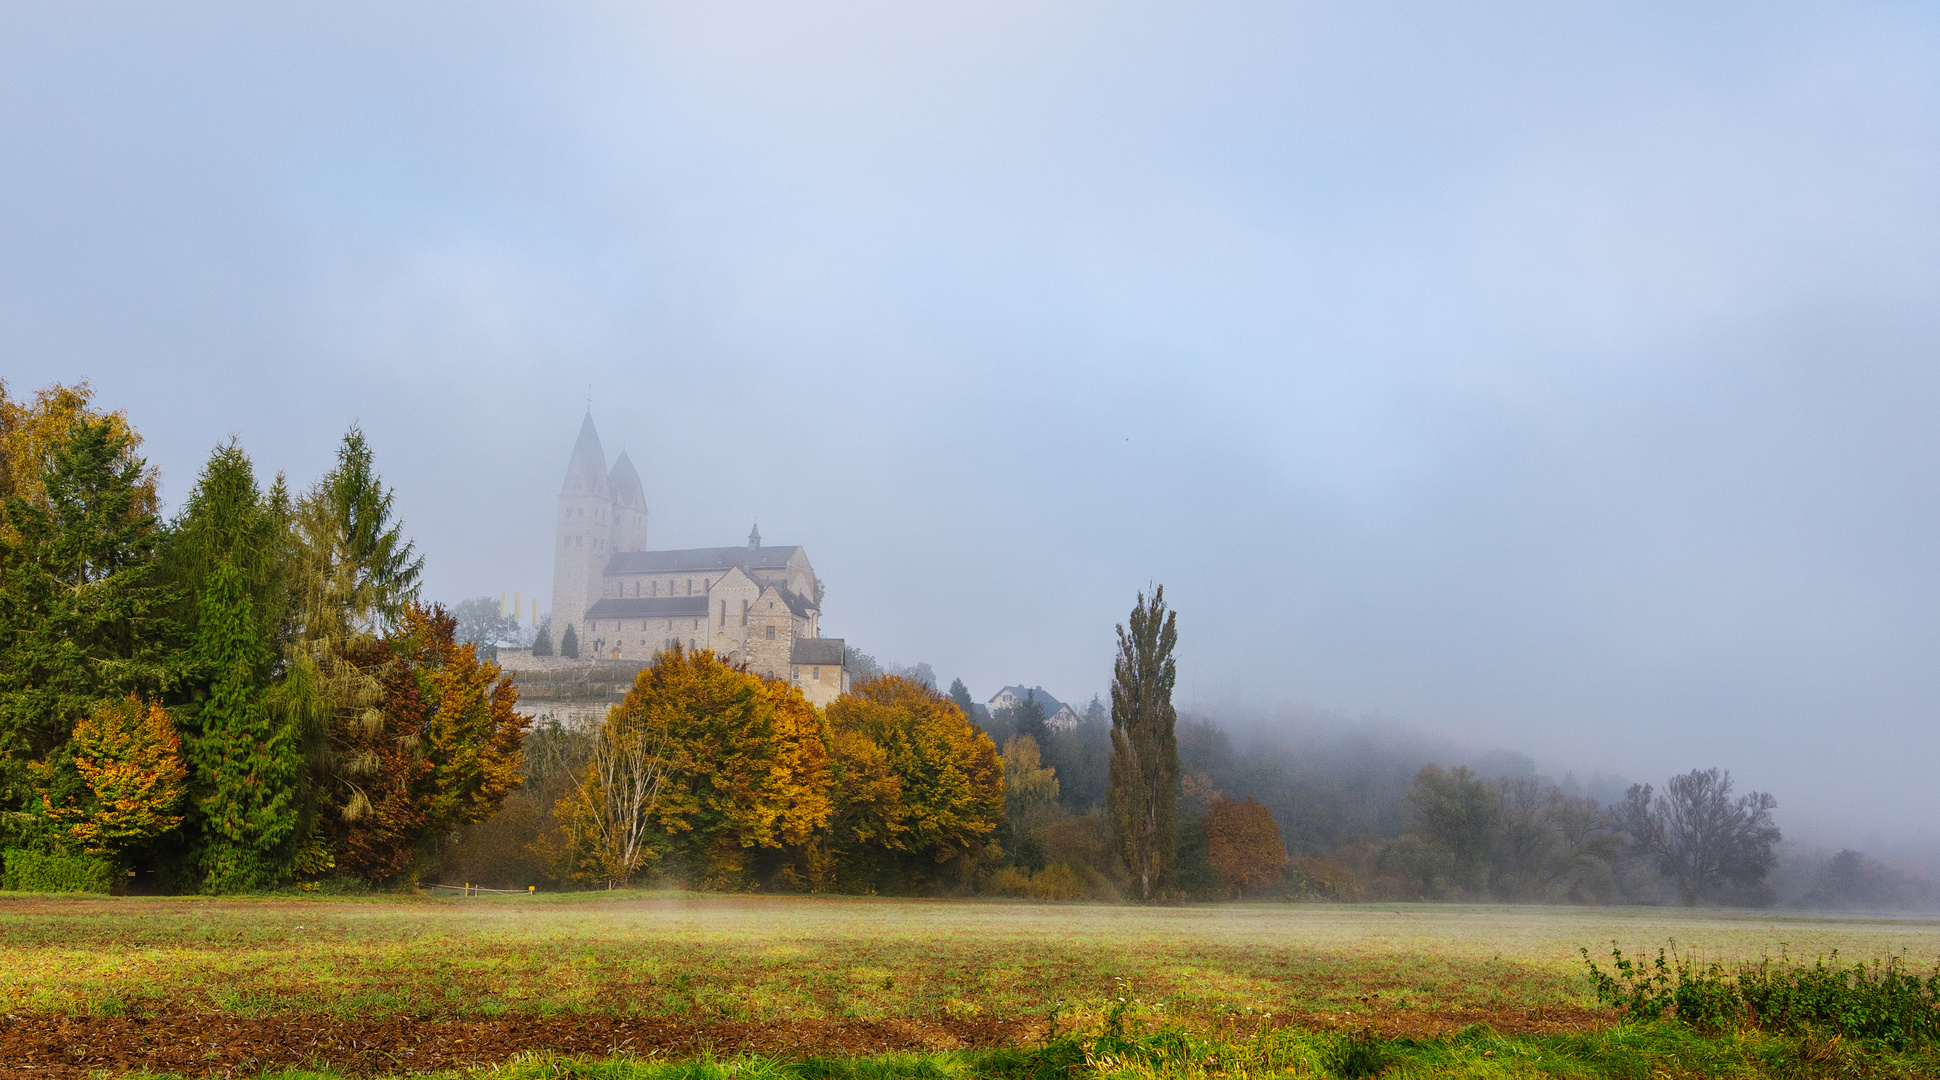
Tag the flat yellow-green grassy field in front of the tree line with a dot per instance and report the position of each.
(862, 976)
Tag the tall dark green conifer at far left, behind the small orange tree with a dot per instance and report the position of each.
(82, 612)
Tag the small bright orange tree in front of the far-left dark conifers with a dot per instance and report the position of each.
(131, 759)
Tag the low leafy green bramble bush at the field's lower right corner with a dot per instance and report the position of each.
(1865, 1001)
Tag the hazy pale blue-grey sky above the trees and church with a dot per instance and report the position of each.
(1551, 377)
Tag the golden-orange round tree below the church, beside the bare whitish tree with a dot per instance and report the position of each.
(746, 763)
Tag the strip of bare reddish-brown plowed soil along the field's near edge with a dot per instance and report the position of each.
(75, 1048)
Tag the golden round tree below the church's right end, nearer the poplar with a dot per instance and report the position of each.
(934, 782)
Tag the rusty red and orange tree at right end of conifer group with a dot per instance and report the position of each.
(441, 751)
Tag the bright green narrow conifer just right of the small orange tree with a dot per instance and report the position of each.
(247, 761)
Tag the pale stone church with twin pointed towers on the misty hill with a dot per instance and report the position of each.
(756, 604)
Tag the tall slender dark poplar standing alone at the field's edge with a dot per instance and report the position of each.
(1146, 755)
